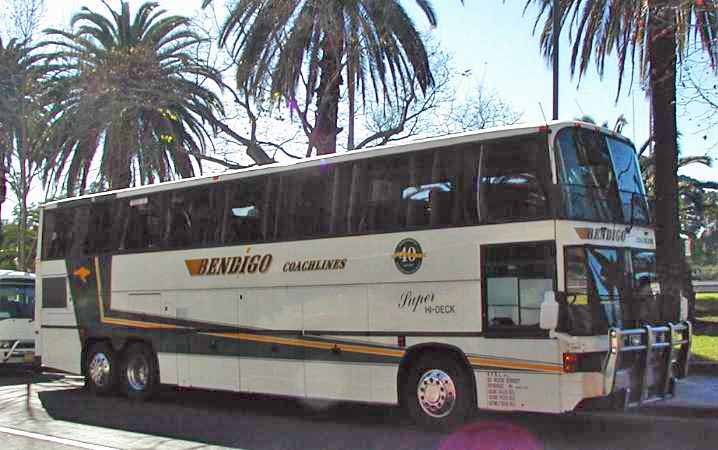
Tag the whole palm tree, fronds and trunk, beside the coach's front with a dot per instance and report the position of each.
(657, 32)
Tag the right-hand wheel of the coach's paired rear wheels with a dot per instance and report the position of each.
(140, 375)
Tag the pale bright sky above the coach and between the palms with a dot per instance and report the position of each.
(494, 40)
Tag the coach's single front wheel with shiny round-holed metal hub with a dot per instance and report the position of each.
(438, 392)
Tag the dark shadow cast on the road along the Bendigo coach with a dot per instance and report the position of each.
(261, 422)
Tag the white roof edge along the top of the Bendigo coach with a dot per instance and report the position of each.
(393, 148)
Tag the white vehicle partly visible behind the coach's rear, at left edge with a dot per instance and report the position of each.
(17, 314)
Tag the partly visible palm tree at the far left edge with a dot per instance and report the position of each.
(23, 119)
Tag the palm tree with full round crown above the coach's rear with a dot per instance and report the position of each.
(131, 88)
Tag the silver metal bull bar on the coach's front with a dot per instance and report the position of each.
(643, 363)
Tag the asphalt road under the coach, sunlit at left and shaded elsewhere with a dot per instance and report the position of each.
(55, 412)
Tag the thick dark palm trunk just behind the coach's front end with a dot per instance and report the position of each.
(662, 57)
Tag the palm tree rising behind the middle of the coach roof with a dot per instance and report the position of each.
(319, 43)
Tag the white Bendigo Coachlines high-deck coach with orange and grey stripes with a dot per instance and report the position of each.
(507, 269)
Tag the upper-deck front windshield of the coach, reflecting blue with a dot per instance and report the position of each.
(600, 178)
